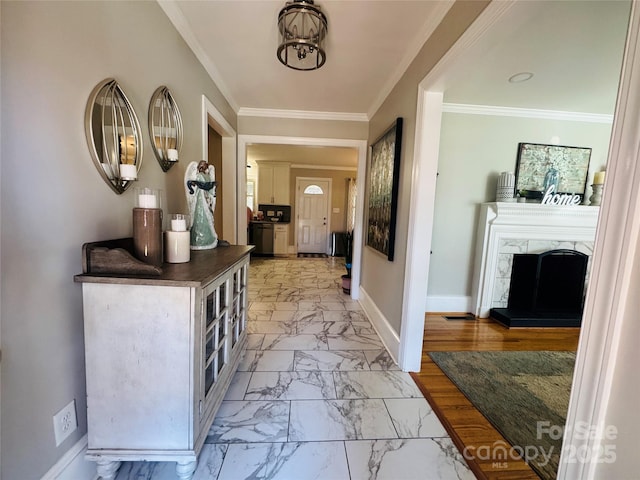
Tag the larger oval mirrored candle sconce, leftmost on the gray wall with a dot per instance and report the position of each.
(113, 134)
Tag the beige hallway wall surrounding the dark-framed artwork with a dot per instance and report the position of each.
(402, 102)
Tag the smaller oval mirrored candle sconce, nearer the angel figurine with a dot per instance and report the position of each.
(165, 128)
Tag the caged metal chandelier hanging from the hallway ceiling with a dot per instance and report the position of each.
(303, 28)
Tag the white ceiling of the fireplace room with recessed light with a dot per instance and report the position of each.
(574, 49)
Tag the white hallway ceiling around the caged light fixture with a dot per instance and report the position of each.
(369, 45)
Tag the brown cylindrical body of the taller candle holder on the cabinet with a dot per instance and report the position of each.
(147, 235)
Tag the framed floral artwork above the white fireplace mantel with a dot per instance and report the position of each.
(539, 166)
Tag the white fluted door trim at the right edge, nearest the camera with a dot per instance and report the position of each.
(611, 287)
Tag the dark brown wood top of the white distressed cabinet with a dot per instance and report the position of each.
(204, 267)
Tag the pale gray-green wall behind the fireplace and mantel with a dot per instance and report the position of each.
(474, 149)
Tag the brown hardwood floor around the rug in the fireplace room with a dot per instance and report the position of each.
(467, 426)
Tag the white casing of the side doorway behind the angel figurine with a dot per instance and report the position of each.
(231, 204)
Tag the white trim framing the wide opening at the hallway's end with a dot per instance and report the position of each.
(359, 145)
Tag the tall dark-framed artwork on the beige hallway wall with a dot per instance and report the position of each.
(383, 183)
